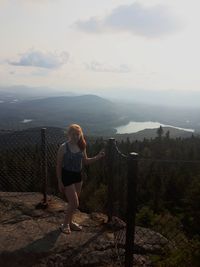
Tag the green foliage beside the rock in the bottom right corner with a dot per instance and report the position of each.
(184, 252)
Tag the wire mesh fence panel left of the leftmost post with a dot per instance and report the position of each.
(20, 161)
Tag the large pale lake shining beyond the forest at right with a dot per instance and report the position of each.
(133, 127)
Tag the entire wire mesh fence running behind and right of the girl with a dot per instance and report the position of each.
(158, 235)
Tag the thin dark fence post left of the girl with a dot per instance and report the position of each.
(44, 164)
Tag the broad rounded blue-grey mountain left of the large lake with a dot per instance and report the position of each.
(93, 112)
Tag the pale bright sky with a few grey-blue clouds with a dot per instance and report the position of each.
(102, 45)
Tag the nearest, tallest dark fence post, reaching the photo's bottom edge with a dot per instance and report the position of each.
(131, 208)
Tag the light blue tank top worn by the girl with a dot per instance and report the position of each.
(72, 161)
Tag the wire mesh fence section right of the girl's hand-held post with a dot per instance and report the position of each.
(160, 237)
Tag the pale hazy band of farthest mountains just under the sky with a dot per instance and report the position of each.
(175, 98)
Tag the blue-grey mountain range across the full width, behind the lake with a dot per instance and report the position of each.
(96, 114)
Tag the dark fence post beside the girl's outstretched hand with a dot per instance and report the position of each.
(110, 156)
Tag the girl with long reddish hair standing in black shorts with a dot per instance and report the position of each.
(70, 158)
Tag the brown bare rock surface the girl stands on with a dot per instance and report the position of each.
(31, 237)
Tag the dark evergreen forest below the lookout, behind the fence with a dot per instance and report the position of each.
(168, 185)
